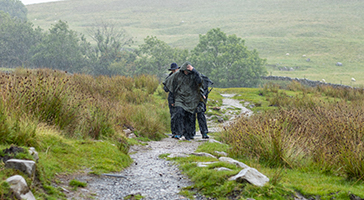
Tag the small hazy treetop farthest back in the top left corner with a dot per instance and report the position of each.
(15, 8)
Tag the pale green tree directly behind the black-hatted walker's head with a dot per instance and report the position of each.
(155, 56)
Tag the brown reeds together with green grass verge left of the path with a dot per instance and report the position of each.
(67, 115)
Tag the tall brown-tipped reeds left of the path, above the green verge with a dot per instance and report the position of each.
(81, 106)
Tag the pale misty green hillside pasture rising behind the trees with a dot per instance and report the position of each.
(326, 31)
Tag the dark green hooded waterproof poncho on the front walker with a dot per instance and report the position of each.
(185, 88)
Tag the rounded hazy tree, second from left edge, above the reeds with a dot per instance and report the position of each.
(59, 49)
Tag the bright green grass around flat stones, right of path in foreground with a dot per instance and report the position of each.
(215, 184)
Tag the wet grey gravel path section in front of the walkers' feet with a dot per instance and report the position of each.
(149, 176)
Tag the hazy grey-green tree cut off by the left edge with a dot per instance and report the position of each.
(16, 40)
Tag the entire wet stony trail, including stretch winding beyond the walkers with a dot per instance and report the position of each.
(149, 175)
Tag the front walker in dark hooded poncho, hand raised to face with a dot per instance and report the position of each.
(185, 85)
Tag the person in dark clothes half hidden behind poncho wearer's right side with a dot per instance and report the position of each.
(201, 107)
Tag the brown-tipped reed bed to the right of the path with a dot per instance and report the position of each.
(320, 129)
